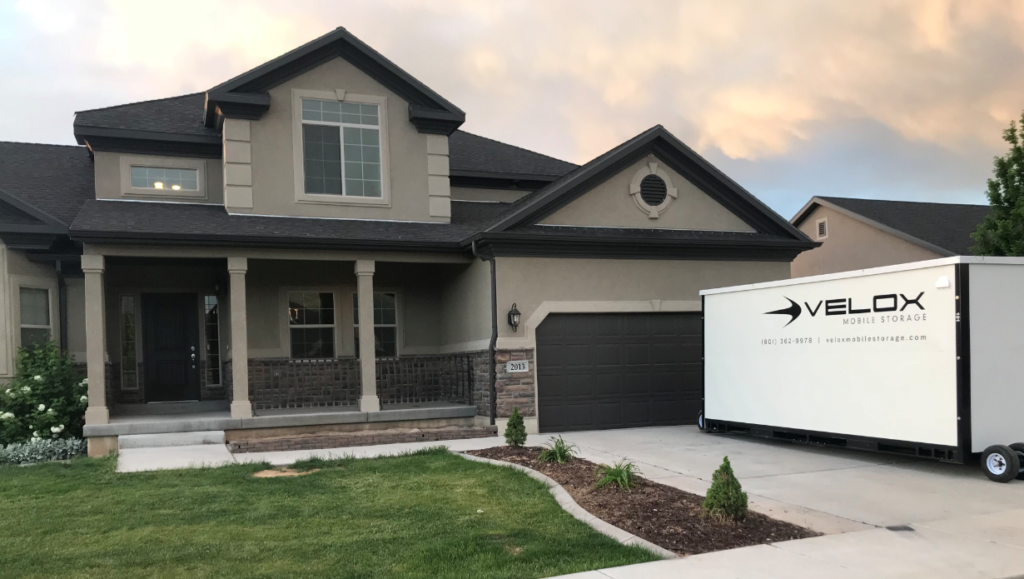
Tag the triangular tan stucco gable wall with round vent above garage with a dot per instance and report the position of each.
(611, 205)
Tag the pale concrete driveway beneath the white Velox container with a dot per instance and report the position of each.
(883, 516)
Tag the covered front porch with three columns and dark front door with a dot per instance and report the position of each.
(183, 342)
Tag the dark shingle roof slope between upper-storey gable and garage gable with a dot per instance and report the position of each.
(475, 154)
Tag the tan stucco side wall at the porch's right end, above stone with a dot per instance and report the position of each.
(466, 308)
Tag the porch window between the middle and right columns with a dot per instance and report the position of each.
(311, 319)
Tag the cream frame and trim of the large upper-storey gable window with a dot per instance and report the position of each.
(343, 97)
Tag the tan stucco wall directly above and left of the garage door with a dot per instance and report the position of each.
(613, 285)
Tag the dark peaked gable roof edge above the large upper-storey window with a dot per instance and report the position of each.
(245, 96)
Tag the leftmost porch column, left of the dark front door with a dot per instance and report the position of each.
(96, 340)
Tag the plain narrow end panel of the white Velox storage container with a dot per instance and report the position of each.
(997, 355)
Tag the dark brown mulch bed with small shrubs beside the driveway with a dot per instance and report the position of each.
(664, 516)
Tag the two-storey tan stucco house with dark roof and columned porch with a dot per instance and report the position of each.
(233, 255)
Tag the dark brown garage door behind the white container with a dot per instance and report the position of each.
(619, 370)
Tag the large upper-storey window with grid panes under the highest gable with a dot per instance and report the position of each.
(342, 149)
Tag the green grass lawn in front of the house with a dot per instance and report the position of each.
(413, 516)
